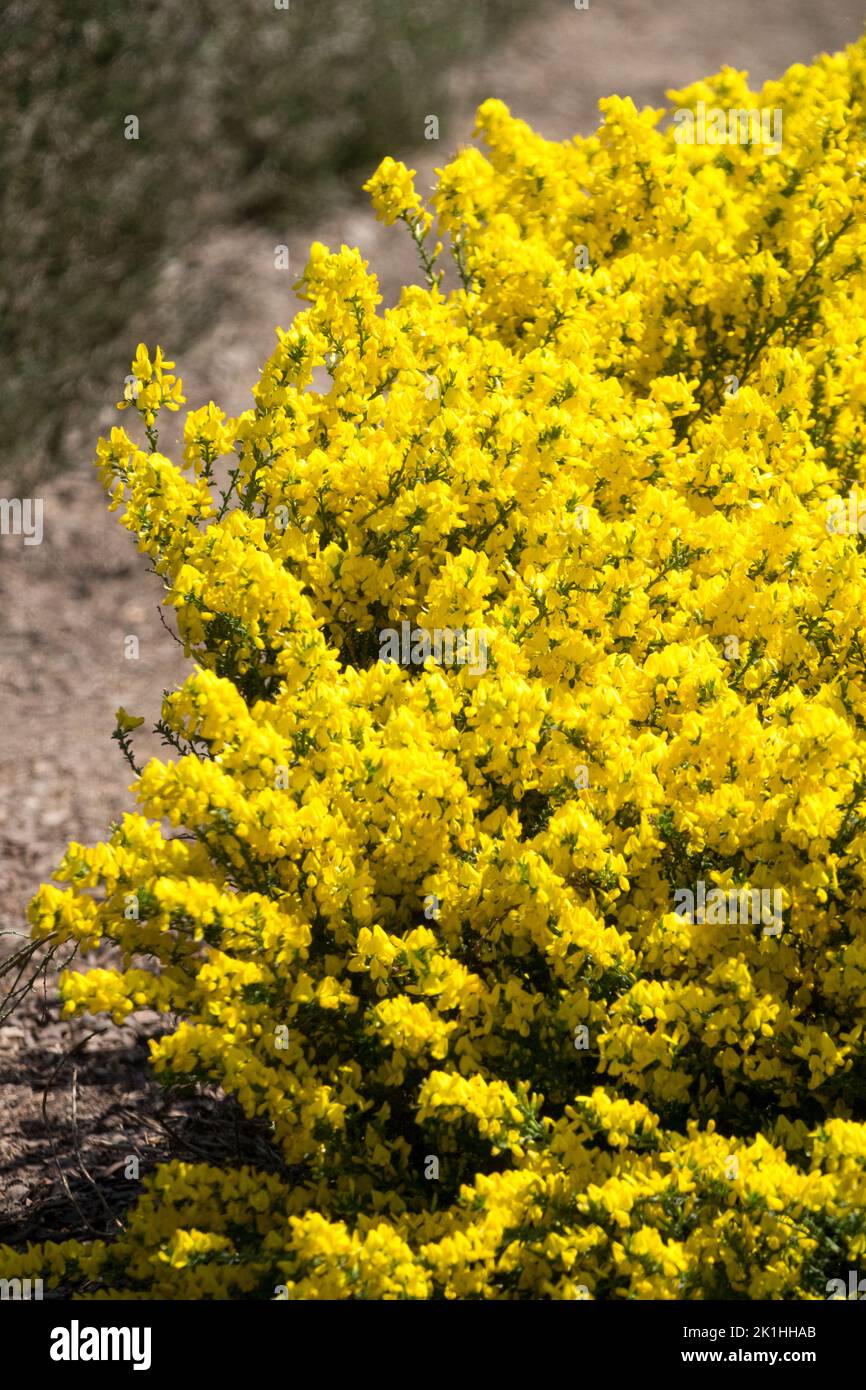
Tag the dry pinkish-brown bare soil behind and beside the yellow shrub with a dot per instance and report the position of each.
(70, 1122)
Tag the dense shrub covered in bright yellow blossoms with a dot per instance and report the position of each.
(422, 917)
